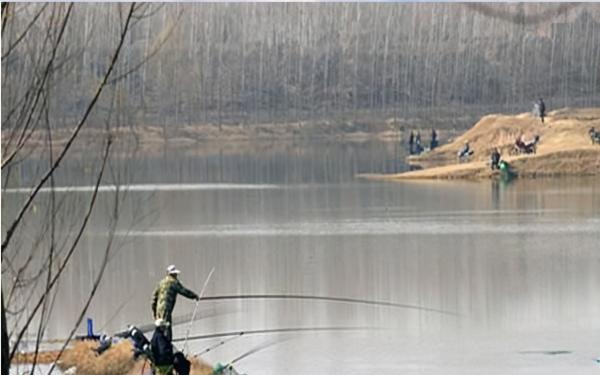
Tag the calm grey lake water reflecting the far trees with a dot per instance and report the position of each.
(515, 265)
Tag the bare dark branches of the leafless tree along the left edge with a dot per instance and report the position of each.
(34, 276)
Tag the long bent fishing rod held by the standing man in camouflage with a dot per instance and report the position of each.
(331, 299)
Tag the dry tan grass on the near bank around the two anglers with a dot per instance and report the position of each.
(117, 360)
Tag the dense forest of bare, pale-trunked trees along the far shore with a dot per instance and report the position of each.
(186, 64)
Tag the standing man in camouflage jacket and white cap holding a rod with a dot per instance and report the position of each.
(165, 296)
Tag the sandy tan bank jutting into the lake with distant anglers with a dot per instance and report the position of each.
(565, 148)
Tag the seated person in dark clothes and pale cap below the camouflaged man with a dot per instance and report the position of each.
(163, 358)
